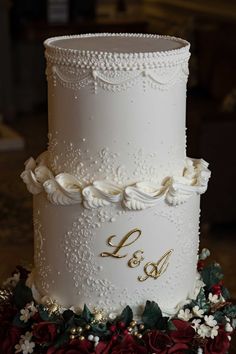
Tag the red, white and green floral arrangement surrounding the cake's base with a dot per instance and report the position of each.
(203, 324)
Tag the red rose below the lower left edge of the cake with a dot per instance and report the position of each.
(44, 332)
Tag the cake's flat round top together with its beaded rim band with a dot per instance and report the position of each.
(117, 51)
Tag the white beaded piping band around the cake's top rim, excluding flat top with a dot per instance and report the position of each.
(114, 60)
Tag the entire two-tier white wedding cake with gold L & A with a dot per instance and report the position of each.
(116, 200)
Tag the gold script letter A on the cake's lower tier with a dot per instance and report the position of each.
(155, 270)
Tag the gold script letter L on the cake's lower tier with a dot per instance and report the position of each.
(121, 244)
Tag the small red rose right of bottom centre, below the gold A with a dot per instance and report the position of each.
(157, 342)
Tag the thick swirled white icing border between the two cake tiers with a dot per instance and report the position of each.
(66, 189)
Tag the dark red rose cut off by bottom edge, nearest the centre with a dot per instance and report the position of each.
(129, 346)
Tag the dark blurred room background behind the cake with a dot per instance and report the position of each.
(210, 26)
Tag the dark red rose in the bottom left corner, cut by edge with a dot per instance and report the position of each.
(9, 337)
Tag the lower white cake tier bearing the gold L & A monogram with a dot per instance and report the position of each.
(109, 257)
